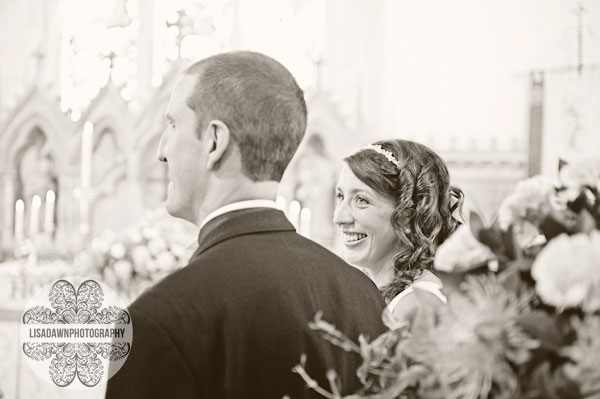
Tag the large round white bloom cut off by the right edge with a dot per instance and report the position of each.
(567, 271)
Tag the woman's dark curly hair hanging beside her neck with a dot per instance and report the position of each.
(424, 203)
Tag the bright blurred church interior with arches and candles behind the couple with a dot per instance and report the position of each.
(501, 89)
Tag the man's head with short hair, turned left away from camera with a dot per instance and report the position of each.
(239, 111)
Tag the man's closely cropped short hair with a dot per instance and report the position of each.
(261, 103)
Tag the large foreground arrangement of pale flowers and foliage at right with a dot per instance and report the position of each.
(523, 312)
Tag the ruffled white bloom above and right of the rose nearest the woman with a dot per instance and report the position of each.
(533, 194)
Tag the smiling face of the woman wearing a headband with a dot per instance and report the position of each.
(364, 217)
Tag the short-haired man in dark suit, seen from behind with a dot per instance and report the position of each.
(234, 321)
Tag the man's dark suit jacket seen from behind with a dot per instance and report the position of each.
(234, 322)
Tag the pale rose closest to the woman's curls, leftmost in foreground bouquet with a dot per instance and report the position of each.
(461, 252)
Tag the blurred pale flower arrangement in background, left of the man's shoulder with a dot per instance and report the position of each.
(143, 254)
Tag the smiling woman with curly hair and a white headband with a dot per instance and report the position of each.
(394, 207)
